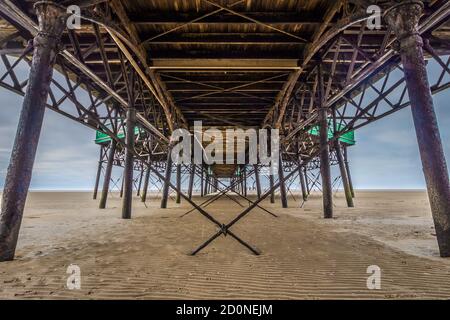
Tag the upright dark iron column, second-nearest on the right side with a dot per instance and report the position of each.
(325, 171)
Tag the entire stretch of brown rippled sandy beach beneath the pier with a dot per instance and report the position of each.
(303, 256)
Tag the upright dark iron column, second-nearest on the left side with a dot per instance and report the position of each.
(129, 163)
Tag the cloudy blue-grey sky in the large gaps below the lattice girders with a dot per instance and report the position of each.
(385, 157)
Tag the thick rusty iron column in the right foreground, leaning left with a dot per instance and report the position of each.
(403, 18)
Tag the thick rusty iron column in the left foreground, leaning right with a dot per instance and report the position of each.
(52, 21)
